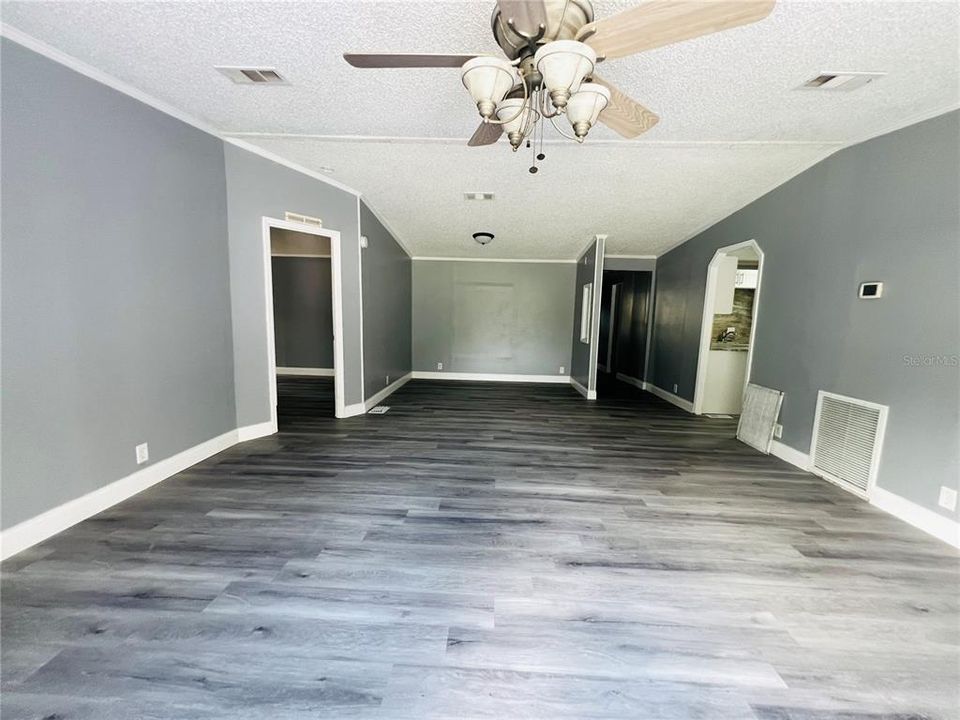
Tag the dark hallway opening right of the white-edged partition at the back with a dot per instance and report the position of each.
(625, 315)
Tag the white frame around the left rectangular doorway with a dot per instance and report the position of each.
(270, 223)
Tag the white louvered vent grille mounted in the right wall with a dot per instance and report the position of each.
(847, 436)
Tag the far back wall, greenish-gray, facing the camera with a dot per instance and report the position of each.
(510, 318)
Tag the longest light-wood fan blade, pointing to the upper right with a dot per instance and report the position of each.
(661, 22)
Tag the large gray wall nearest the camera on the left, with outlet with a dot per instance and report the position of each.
(115, 285)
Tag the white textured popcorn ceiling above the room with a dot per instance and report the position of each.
(733, 125)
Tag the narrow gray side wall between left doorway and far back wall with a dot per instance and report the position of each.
(387, 306)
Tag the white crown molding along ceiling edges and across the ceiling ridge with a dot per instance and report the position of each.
(247, 142)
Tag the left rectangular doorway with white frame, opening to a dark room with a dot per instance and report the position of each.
(304, 315)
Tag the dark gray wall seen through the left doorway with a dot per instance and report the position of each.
(303, 312)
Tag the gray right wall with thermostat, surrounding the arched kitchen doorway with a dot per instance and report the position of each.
(886, 209)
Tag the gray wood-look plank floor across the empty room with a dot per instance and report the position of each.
(485, 551)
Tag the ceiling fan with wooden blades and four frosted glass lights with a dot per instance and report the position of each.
(552, 49)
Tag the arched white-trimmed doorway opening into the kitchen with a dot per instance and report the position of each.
(728, 328)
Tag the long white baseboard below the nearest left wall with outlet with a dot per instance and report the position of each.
(47, 524)
